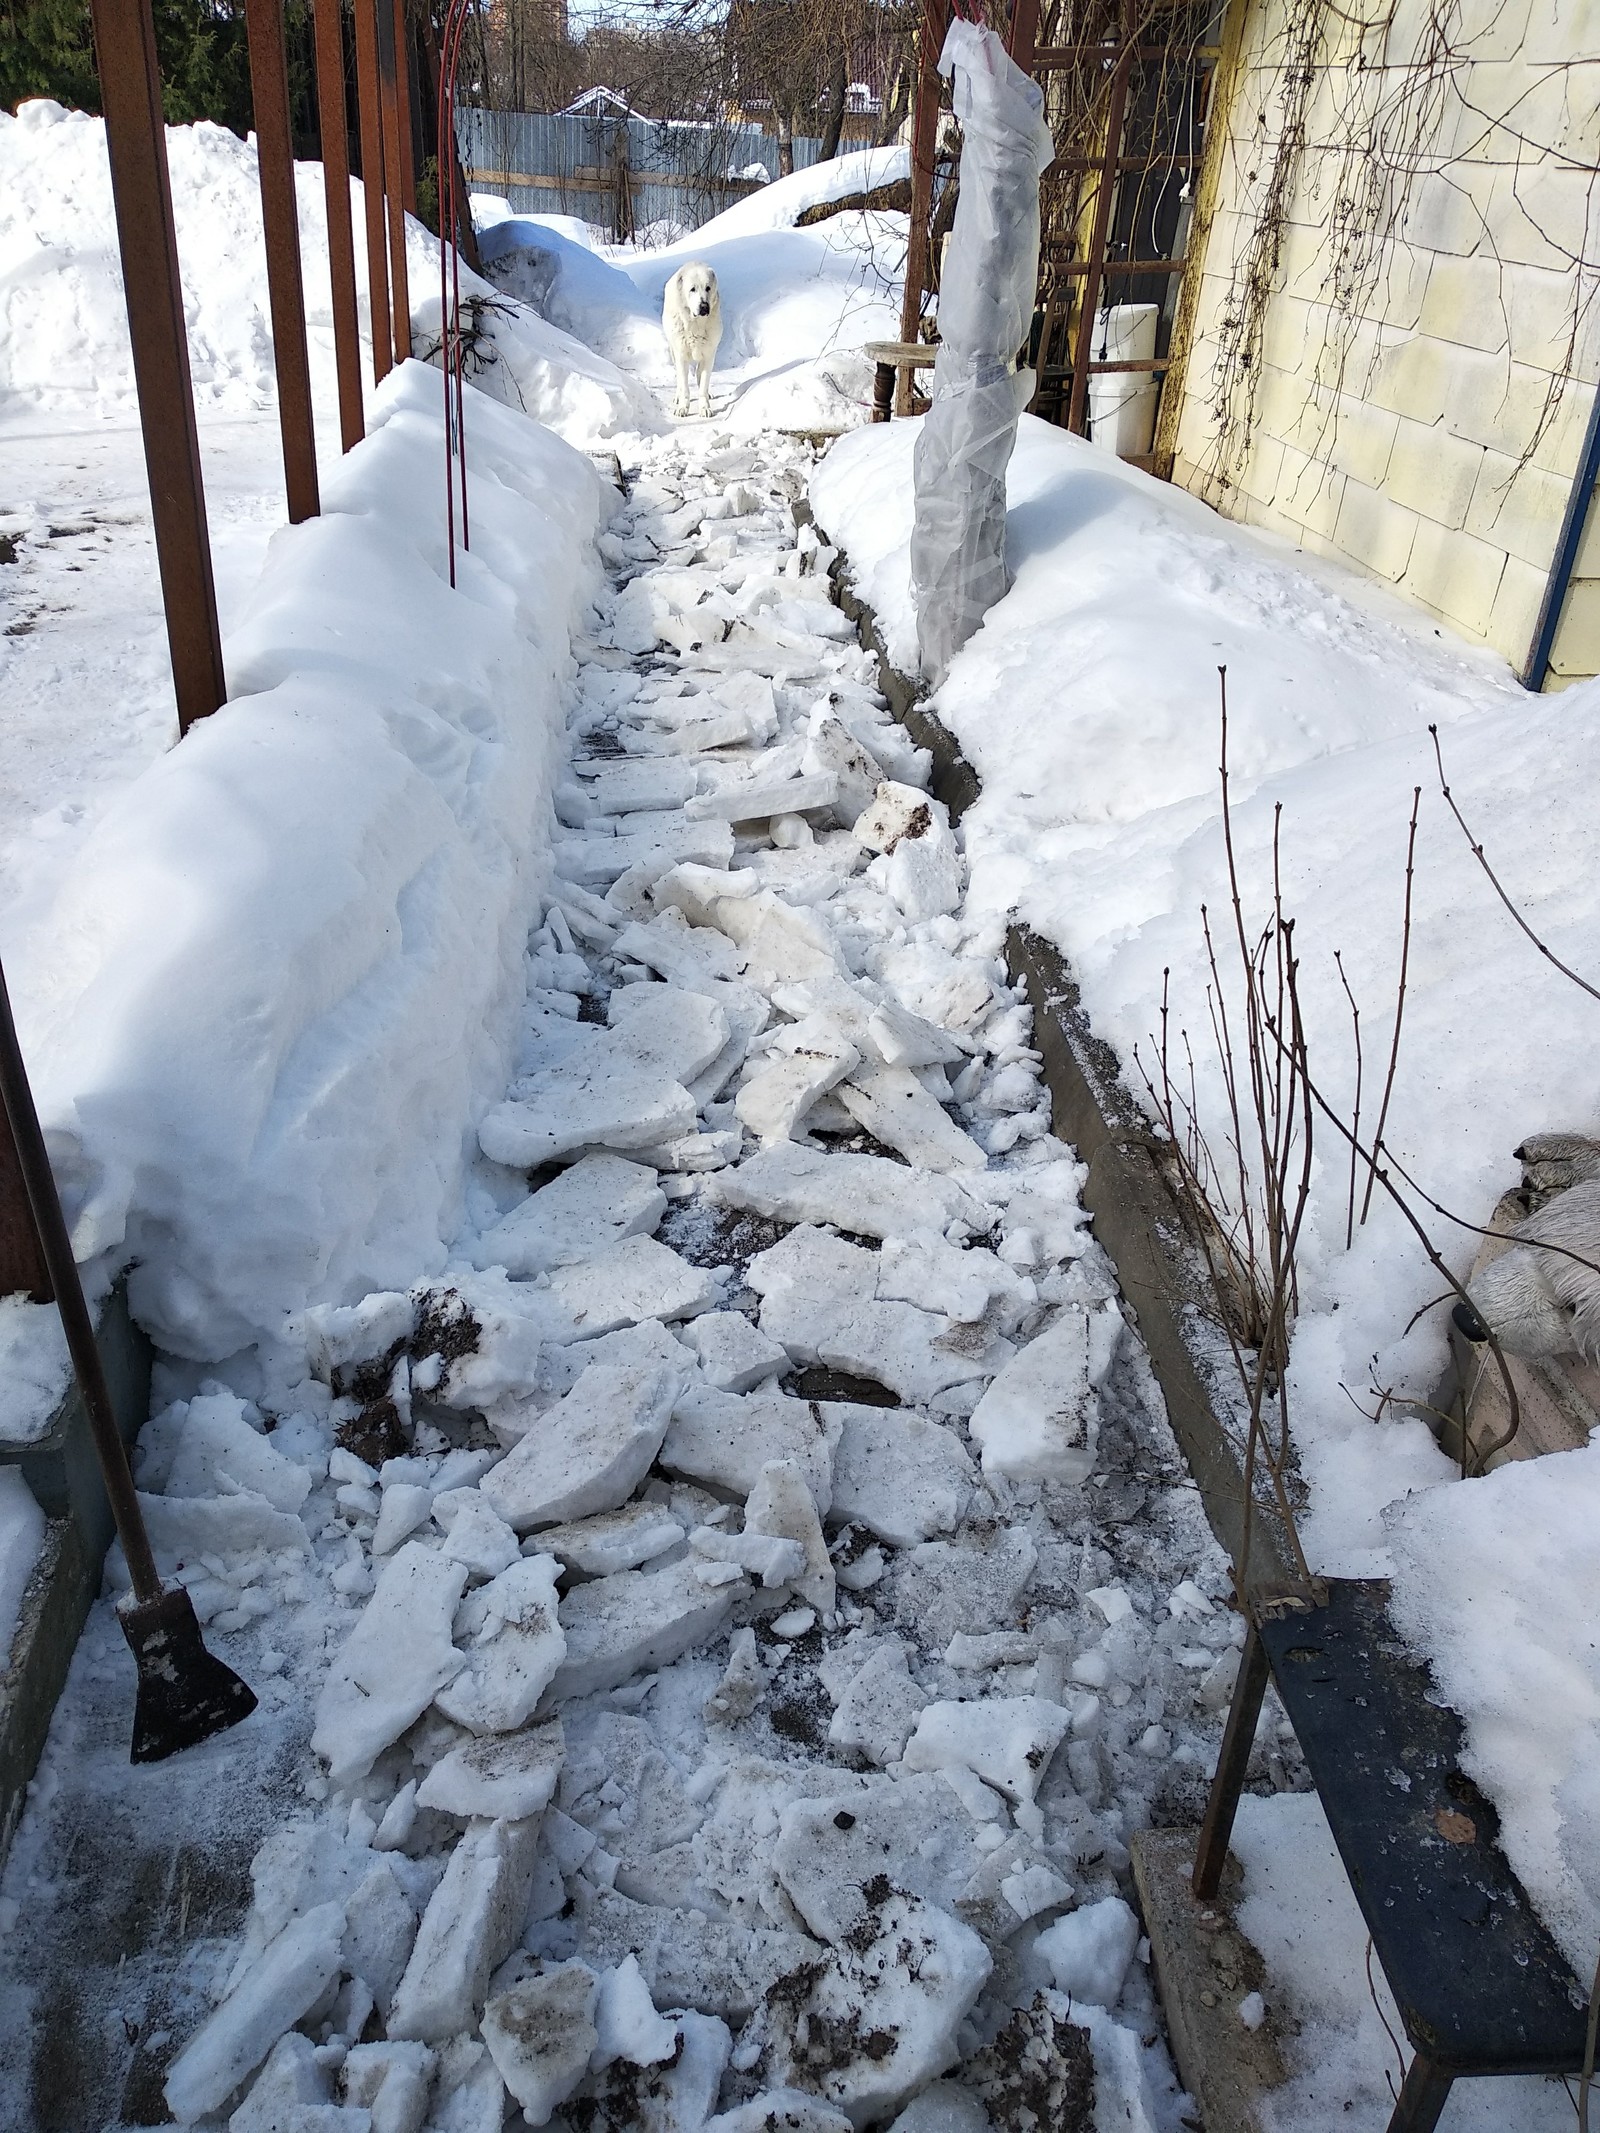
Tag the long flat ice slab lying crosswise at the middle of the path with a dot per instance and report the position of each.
(867, 1196)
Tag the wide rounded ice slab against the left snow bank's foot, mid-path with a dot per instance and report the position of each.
(594, 1102)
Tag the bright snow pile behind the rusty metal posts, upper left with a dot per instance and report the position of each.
(63, 323)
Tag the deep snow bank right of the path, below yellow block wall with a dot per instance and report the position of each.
(1089, 705)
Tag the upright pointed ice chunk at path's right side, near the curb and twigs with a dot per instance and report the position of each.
(1040, 1422)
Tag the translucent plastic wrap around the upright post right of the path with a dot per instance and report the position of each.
(985, 312)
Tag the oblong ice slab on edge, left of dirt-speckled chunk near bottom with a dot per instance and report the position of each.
(468, 1929)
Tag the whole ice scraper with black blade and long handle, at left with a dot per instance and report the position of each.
(185, 1693)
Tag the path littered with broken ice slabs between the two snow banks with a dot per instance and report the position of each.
(756, 1584)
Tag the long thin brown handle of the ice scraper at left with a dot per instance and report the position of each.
(50, 1223)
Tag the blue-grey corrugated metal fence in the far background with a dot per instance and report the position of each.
(620, 174)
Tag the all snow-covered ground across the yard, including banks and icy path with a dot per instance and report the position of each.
(639, 1396)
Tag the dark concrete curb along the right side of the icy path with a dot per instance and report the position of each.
(1136, 1217)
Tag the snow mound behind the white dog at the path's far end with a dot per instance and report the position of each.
(799, 304)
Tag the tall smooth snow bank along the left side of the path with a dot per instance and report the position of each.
(298, 940)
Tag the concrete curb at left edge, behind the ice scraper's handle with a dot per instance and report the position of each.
(65, 1479)
